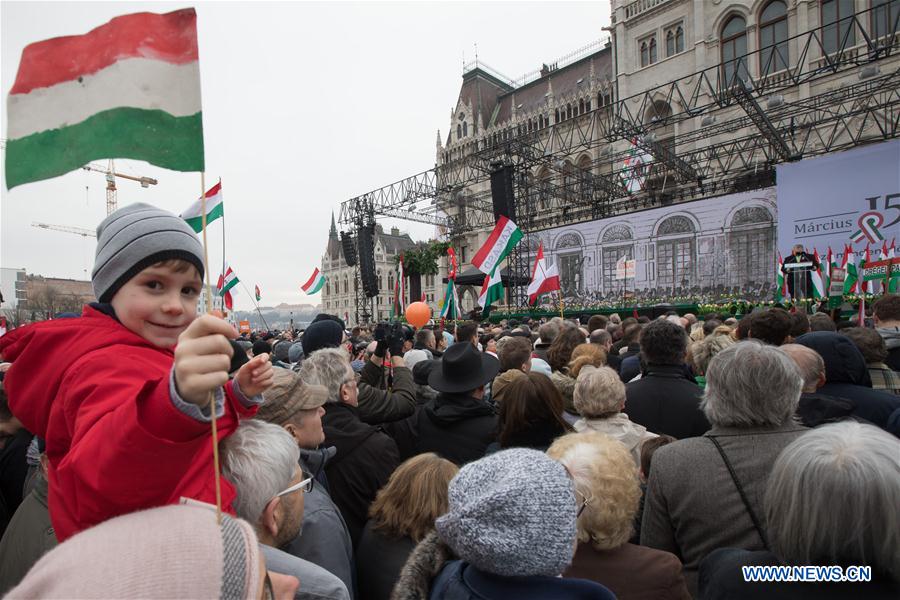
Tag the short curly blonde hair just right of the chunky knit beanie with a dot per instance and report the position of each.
(606, 477)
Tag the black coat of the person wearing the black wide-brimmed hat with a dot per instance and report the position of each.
(457, 427)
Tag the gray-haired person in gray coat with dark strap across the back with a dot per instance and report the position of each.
(706, 492)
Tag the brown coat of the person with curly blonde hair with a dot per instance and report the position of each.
(631, 572)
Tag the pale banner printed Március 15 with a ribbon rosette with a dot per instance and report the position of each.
(848, 198)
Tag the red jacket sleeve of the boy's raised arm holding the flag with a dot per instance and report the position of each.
(128, 447)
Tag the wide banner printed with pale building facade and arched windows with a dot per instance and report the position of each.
(713, 248)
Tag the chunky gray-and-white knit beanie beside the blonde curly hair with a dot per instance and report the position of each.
(512, 513)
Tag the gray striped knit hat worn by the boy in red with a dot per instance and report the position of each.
(135, 237)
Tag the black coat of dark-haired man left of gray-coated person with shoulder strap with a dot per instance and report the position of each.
(664, 401)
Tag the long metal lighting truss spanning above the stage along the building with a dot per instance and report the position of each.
(723, 100)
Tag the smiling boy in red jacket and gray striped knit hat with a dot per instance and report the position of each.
(121, 394)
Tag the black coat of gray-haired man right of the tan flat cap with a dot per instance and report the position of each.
(365, 459)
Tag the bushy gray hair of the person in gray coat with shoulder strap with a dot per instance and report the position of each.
(751, 384)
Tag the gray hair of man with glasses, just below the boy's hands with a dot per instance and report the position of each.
(260, 459)
